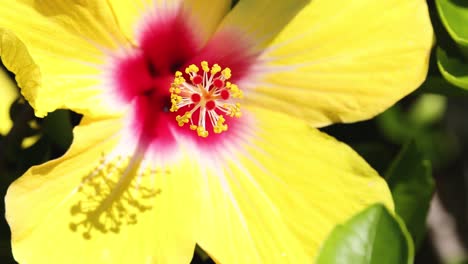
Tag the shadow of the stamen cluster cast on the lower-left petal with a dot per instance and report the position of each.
(113, 195)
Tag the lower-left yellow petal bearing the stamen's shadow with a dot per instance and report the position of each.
(44, 207)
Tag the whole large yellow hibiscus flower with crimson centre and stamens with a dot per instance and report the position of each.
(200, 123)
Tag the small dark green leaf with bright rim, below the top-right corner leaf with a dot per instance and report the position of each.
(453, 68)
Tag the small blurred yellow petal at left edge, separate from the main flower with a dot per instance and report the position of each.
(8, 95)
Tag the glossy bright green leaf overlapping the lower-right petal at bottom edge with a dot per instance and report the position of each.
(372, 236)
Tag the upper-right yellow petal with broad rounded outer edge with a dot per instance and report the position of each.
(344, 61)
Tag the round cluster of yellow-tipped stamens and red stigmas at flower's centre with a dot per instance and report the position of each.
(208, 95)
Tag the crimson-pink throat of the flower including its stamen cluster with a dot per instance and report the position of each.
(169, 102)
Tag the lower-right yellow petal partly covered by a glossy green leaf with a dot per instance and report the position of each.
(275, 197)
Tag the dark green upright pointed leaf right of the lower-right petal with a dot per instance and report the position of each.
(410, 180)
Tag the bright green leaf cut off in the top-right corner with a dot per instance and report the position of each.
(454, 16)
